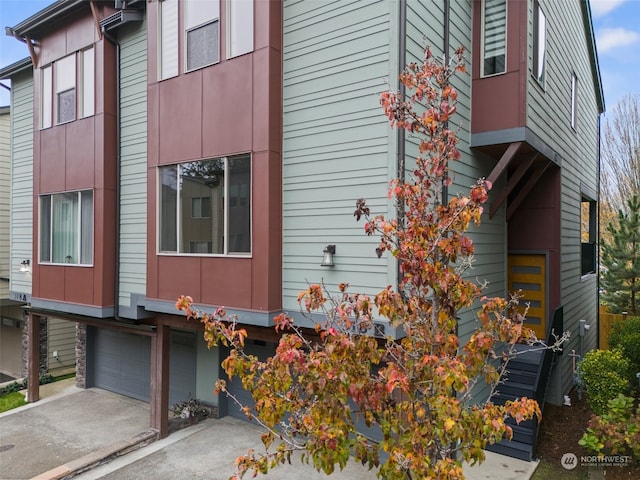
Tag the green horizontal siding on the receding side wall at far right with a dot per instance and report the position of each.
(548, 115)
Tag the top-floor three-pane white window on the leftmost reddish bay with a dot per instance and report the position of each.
(68, 89)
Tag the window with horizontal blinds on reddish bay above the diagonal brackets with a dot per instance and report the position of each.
(494, 37)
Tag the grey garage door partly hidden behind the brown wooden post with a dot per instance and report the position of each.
(122, 364)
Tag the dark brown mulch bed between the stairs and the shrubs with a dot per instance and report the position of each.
(561, 429)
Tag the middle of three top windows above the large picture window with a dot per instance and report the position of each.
(202, 33)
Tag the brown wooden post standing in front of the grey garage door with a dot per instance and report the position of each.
(159, 406)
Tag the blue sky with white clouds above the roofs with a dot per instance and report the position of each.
(616, 23)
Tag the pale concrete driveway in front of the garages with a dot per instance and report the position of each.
(106, 436)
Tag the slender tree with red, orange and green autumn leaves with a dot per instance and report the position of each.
(416, 395)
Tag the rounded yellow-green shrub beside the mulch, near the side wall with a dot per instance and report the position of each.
(605, 374)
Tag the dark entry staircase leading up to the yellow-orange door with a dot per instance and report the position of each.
(527, 376)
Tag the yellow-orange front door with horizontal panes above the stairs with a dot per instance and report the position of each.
(527, 276)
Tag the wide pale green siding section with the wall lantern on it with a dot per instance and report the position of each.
(337, 60)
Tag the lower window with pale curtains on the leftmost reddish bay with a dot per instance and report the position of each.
(66, 228)
